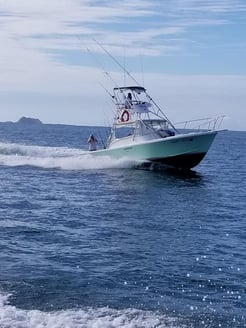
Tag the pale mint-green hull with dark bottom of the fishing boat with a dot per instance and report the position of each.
(181, 151)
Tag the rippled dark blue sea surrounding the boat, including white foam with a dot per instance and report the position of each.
(89, 242)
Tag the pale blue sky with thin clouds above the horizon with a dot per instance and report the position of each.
(189, 54)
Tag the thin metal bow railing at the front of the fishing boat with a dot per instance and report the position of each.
(202, 124)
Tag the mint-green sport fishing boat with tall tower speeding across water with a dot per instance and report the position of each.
(142, 132)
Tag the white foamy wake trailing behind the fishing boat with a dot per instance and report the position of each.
(13, 154)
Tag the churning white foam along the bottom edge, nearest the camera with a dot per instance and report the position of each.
(12, 317)
